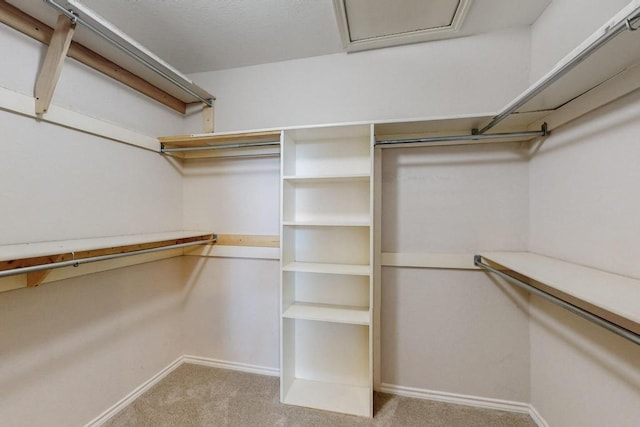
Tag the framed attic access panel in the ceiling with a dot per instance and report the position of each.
(370, 24)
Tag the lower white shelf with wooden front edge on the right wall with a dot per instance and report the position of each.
(607, 295)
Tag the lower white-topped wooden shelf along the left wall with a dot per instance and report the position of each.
(42, 253)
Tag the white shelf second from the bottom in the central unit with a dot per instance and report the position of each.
(328, 313)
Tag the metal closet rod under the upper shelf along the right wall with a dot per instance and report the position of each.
(627, 24)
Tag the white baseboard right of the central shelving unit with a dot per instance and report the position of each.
(462, 399)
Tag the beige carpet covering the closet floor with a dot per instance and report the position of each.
(195, 395)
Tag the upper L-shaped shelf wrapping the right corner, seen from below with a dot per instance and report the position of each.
(606, 66)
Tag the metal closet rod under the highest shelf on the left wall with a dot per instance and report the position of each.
(149, 62)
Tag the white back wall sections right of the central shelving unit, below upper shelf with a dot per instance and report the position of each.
(445, 330)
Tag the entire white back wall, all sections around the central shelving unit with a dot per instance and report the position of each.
(483, 209)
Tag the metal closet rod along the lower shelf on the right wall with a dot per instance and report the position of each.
(610, 326)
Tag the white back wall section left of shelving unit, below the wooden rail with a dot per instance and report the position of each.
(231, 313)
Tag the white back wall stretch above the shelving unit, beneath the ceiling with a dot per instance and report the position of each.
(466, 75)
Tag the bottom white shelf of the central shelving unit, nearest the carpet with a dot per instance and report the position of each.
(348, 399)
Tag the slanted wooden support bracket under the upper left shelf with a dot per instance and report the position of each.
(53, 62)
